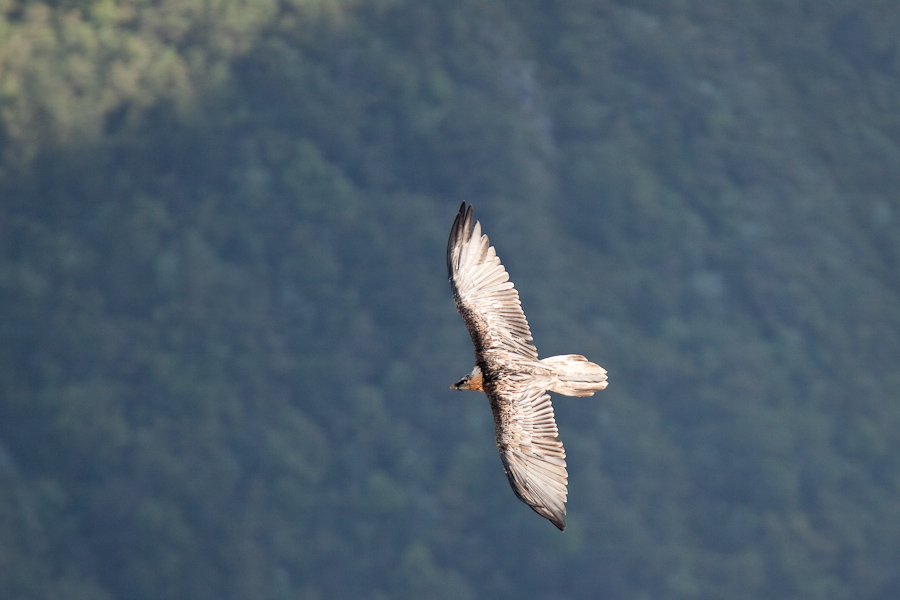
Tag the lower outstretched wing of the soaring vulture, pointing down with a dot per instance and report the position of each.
(533, 457)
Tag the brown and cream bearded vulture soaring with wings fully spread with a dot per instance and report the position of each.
(508, 371)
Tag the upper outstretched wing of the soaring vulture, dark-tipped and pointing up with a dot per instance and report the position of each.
(484, 295)
